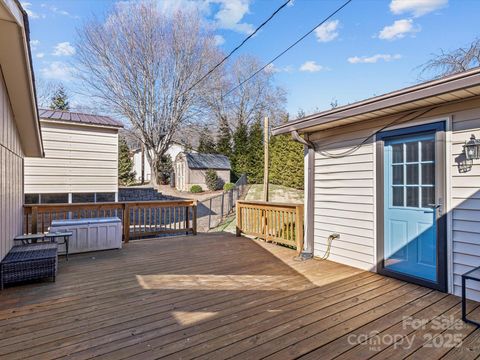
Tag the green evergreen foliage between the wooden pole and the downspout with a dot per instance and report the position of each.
(286, 162)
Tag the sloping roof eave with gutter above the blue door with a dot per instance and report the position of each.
(432, 93)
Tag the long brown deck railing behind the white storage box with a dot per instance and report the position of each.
(139, 219)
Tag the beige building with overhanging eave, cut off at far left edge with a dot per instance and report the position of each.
(19, 125)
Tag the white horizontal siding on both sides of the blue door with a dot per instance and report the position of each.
(345, 194)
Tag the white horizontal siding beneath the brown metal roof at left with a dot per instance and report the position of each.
(78, 159)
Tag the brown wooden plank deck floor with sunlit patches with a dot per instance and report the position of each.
(215, 296)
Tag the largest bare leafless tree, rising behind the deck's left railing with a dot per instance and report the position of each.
(143, 64)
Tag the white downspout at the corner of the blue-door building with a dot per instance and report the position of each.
(309, 200)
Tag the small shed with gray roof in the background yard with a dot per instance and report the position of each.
(190, 169)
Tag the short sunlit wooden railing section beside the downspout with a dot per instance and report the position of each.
(276, 222)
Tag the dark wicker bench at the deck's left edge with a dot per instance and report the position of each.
(29, 262)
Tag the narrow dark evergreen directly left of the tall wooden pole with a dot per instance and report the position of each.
(255, 153)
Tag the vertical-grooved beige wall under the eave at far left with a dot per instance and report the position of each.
(11, 175)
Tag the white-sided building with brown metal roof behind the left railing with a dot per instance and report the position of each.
(81, 159)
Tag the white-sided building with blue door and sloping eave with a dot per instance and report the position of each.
(390, 176)
